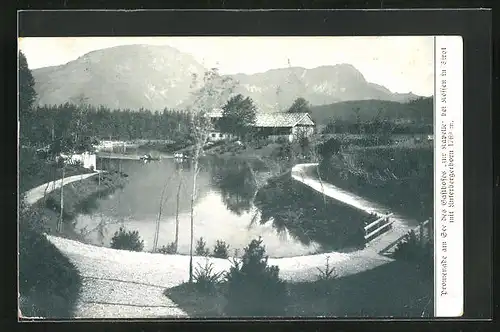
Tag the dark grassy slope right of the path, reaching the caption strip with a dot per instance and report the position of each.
(400, 178)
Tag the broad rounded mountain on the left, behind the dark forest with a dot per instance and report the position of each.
(131, 76)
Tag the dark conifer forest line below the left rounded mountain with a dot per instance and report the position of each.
(46, 124)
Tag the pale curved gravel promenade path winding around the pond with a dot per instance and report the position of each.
(125, 284)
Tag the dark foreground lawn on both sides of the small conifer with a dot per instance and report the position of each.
(365, 294)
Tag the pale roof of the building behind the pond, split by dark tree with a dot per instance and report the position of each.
(271, 120)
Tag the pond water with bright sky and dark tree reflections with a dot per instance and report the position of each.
(224, 208)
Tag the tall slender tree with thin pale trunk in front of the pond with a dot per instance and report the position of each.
(212, 94)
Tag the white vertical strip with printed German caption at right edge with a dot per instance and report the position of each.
(448, 177)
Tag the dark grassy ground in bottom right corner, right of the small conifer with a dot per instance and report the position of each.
(366, 294)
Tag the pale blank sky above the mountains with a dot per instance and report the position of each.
(402, 64)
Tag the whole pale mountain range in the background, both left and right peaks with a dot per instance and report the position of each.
(158, 77)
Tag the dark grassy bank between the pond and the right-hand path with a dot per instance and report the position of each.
(309, 217)
